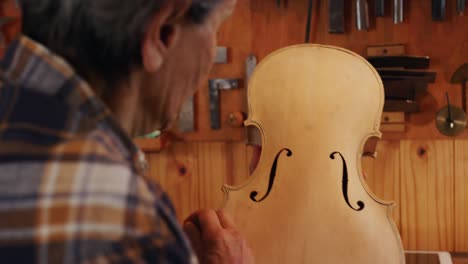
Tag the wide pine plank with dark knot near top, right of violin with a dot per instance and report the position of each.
(427, 201)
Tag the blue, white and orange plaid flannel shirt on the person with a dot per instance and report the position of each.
(72, 183)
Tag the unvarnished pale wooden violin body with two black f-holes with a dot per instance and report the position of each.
(307, 202)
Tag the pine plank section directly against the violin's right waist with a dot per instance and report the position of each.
(383, 175)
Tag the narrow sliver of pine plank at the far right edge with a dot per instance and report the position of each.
(461, 195)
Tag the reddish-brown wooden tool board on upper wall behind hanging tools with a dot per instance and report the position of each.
(259, 27)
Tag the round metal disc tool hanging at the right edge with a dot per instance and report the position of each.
(450, 120)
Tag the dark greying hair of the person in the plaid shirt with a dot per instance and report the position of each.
(99, 36)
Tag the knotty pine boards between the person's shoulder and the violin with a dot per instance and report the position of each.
(194, 173)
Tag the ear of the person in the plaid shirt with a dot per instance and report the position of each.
(159, 38)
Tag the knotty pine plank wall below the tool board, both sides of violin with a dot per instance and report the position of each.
(426, 179)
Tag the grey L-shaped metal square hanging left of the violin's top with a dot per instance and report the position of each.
(215, 86)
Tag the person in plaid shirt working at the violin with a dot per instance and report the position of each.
(84, 77)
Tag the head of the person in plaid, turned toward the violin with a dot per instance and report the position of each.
(167, 45)
